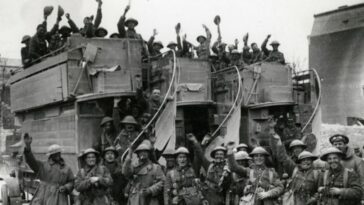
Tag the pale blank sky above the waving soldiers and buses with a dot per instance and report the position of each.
(288, 21)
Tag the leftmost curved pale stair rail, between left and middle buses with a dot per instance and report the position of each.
(160, 107)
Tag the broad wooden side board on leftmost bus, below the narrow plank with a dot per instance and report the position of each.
(37, 90)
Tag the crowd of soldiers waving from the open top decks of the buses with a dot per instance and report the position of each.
(45, 42)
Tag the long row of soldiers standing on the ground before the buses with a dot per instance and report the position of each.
(239, 174)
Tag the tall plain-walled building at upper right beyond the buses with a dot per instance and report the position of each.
(336, 50)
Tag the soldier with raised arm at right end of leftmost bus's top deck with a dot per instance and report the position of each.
(131, 24)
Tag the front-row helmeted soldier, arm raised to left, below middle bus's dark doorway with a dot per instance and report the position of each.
(218, 175)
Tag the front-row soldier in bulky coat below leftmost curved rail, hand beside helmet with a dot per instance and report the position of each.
(146, 179)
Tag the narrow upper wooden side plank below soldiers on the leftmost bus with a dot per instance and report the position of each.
(43, 65)
